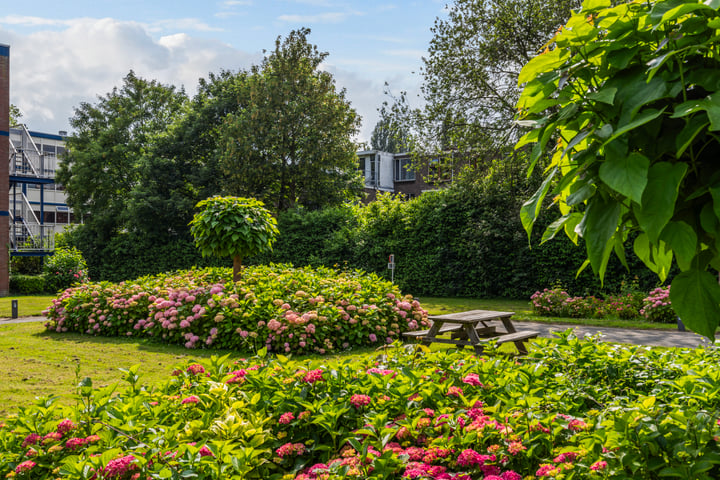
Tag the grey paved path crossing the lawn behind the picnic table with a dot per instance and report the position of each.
(663, 338)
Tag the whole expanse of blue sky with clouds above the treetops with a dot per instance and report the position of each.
(64, 53)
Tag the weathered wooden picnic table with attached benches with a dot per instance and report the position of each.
(473, 329)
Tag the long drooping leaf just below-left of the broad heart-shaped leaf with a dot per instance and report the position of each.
(597, 228)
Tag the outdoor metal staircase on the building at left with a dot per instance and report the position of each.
(29, 168)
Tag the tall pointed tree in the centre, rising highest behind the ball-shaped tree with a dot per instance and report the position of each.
(292, 144)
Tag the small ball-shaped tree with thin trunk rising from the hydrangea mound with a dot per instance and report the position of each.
(233, 226)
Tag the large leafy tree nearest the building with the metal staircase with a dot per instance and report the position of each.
(110, 137)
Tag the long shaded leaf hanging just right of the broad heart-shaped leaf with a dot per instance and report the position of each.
(659, 197)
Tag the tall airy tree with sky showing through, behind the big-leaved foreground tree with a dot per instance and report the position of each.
(470, 74)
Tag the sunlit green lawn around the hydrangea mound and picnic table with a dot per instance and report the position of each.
(34, 362)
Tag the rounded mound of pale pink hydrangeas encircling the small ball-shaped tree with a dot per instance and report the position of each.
(285, 309)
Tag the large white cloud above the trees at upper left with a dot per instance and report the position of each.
(51, 72)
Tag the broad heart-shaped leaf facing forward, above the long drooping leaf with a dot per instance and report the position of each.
(627, 175)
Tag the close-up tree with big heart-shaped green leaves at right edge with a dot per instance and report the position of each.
(626, 102)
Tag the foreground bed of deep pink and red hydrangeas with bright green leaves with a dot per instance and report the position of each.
(573, 410)
